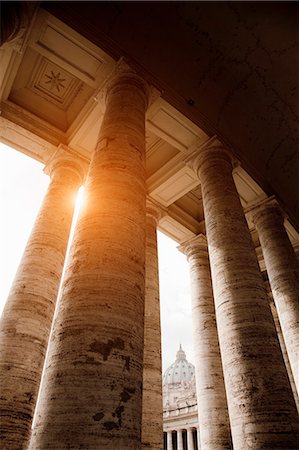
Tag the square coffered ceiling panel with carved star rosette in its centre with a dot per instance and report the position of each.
(57, 75)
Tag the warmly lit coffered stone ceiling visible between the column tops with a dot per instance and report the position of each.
(53, 93)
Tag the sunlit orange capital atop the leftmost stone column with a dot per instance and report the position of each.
(64, 158)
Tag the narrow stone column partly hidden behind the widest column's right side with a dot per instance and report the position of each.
(152, 405)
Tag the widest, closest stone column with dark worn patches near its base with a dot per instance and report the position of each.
(91, 392)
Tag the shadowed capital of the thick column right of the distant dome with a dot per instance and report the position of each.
(214, 152)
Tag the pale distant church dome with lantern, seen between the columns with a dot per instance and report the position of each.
(181, 370)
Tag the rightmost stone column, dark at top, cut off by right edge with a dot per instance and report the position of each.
(283, 272)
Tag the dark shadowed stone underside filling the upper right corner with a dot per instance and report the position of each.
(230, 67)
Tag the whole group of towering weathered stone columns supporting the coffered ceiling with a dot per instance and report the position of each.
(105, 341)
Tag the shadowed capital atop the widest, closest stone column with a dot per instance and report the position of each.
(124, 73)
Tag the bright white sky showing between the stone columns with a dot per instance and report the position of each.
(22, 188)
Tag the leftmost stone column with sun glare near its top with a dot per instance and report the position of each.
(28, 314)
